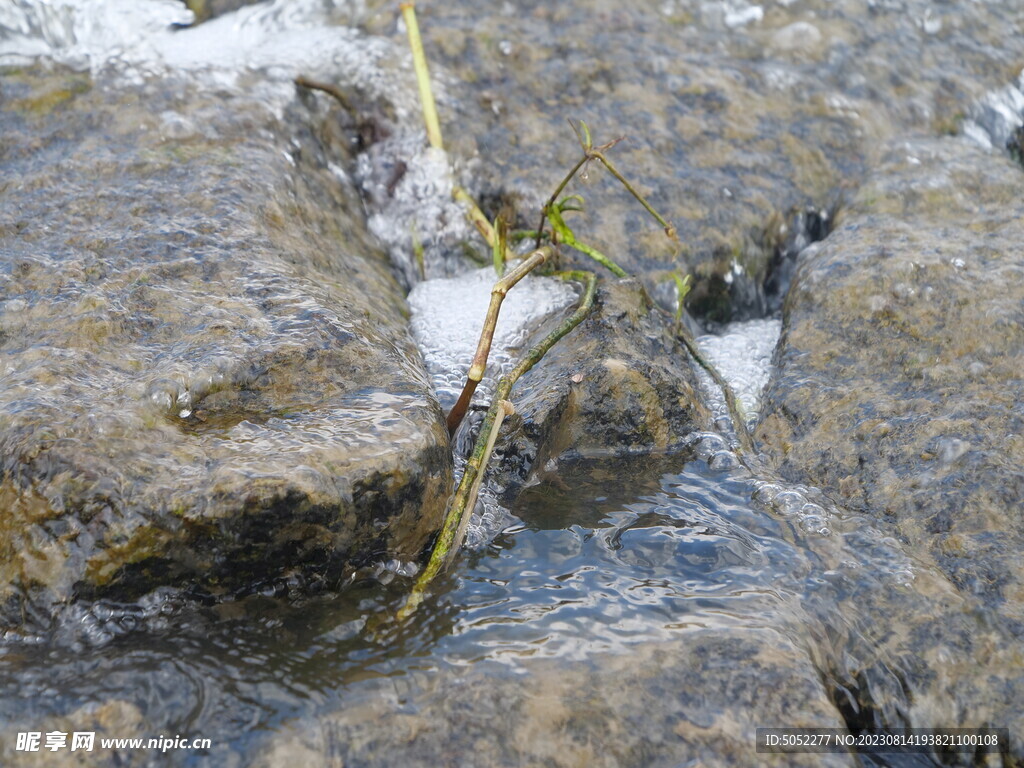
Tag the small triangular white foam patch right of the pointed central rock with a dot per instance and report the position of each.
(743, 355)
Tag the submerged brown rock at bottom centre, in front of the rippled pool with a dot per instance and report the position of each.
(699, 701)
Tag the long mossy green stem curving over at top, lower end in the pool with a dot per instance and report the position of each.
(450, 540)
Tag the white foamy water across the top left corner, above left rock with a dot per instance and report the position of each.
(137, 39)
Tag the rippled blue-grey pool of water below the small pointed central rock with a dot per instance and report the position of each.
(588, 571)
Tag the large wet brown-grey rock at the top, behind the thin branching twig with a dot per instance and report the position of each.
(739, 116)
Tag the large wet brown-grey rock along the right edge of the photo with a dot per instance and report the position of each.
(898, 392)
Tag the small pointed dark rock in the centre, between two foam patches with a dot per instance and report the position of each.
(619, 385)
